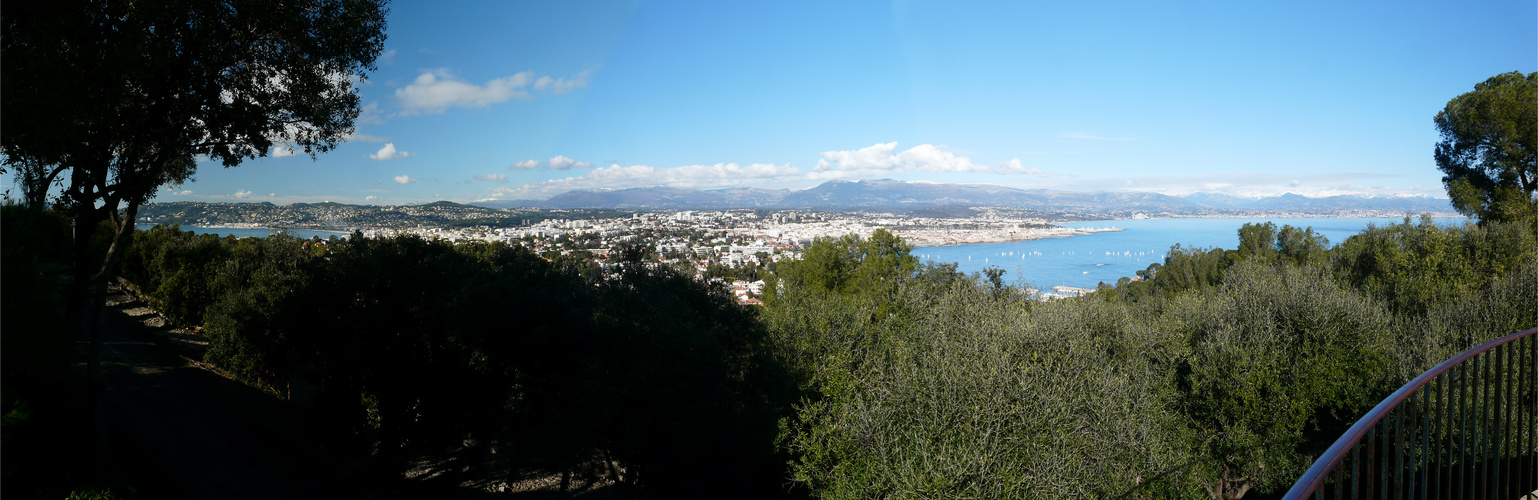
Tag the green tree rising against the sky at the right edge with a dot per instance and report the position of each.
(1490, 148)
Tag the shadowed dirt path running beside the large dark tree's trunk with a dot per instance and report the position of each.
(179, 432)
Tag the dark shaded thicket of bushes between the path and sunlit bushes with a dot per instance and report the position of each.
(413, 347)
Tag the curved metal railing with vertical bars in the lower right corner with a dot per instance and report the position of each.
(1463, 430)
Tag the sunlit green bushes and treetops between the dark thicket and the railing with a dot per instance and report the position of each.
(1225, 373)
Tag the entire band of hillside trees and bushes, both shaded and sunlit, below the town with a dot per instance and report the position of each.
(1220, 373)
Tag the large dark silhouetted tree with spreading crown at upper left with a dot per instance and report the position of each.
(118, 99)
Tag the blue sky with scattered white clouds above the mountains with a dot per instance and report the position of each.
(531, 99)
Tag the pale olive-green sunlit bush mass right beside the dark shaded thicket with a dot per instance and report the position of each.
(960, 392)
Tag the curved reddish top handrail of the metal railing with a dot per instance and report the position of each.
(1316, 476)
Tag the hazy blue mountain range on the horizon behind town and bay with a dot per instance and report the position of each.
(894, 195)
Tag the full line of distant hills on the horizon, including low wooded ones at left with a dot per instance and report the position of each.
(933, 199)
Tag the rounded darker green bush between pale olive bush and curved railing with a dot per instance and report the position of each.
(1270, 353)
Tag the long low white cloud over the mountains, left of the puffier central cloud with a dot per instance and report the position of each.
(641, 176)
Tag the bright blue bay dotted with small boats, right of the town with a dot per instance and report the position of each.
(1091, 259)
